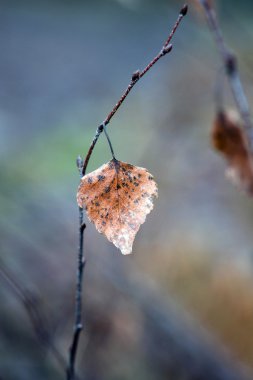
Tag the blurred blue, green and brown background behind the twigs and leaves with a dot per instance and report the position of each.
(180, 307)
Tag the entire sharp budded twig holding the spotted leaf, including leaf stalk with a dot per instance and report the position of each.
(82, 166)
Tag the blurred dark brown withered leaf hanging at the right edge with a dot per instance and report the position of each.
(230, 141)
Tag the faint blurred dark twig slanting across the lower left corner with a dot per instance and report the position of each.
(37, 318)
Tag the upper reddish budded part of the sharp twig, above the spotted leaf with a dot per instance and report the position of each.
(136, 76)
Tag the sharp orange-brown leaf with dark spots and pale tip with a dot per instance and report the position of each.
(117, 198)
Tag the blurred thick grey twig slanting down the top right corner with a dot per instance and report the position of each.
(231, 67)
